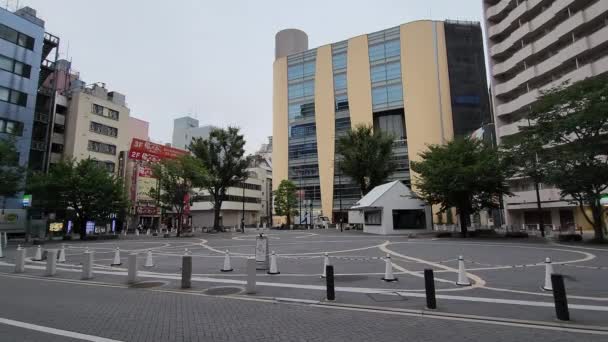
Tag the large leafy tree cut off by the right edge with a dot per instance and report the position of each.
(571, 123)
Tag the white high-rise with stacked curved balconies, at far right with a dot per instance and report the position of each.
(533, 46)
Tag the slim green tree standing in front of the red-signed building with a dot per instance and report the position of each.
(177, 178)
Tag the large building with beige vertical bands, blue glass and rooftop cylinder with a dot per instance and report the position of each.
(424, 82)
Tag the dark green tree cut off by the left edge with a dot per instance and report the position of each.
(11, 173)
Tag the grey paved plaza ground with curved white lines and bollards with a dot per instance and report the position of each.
(505, 302)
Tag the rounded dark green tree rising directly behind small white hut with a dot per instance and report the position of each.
(365, 156)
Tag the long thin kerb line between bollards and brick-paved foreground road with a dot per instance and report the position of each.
(566, 327)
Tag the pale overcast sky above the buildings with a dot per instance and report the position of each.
(210, 59)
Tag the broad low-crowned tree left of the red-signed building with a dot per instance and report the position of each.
(85, 188)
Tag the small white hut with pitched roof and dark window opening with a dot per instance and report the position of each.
(391, 208)
